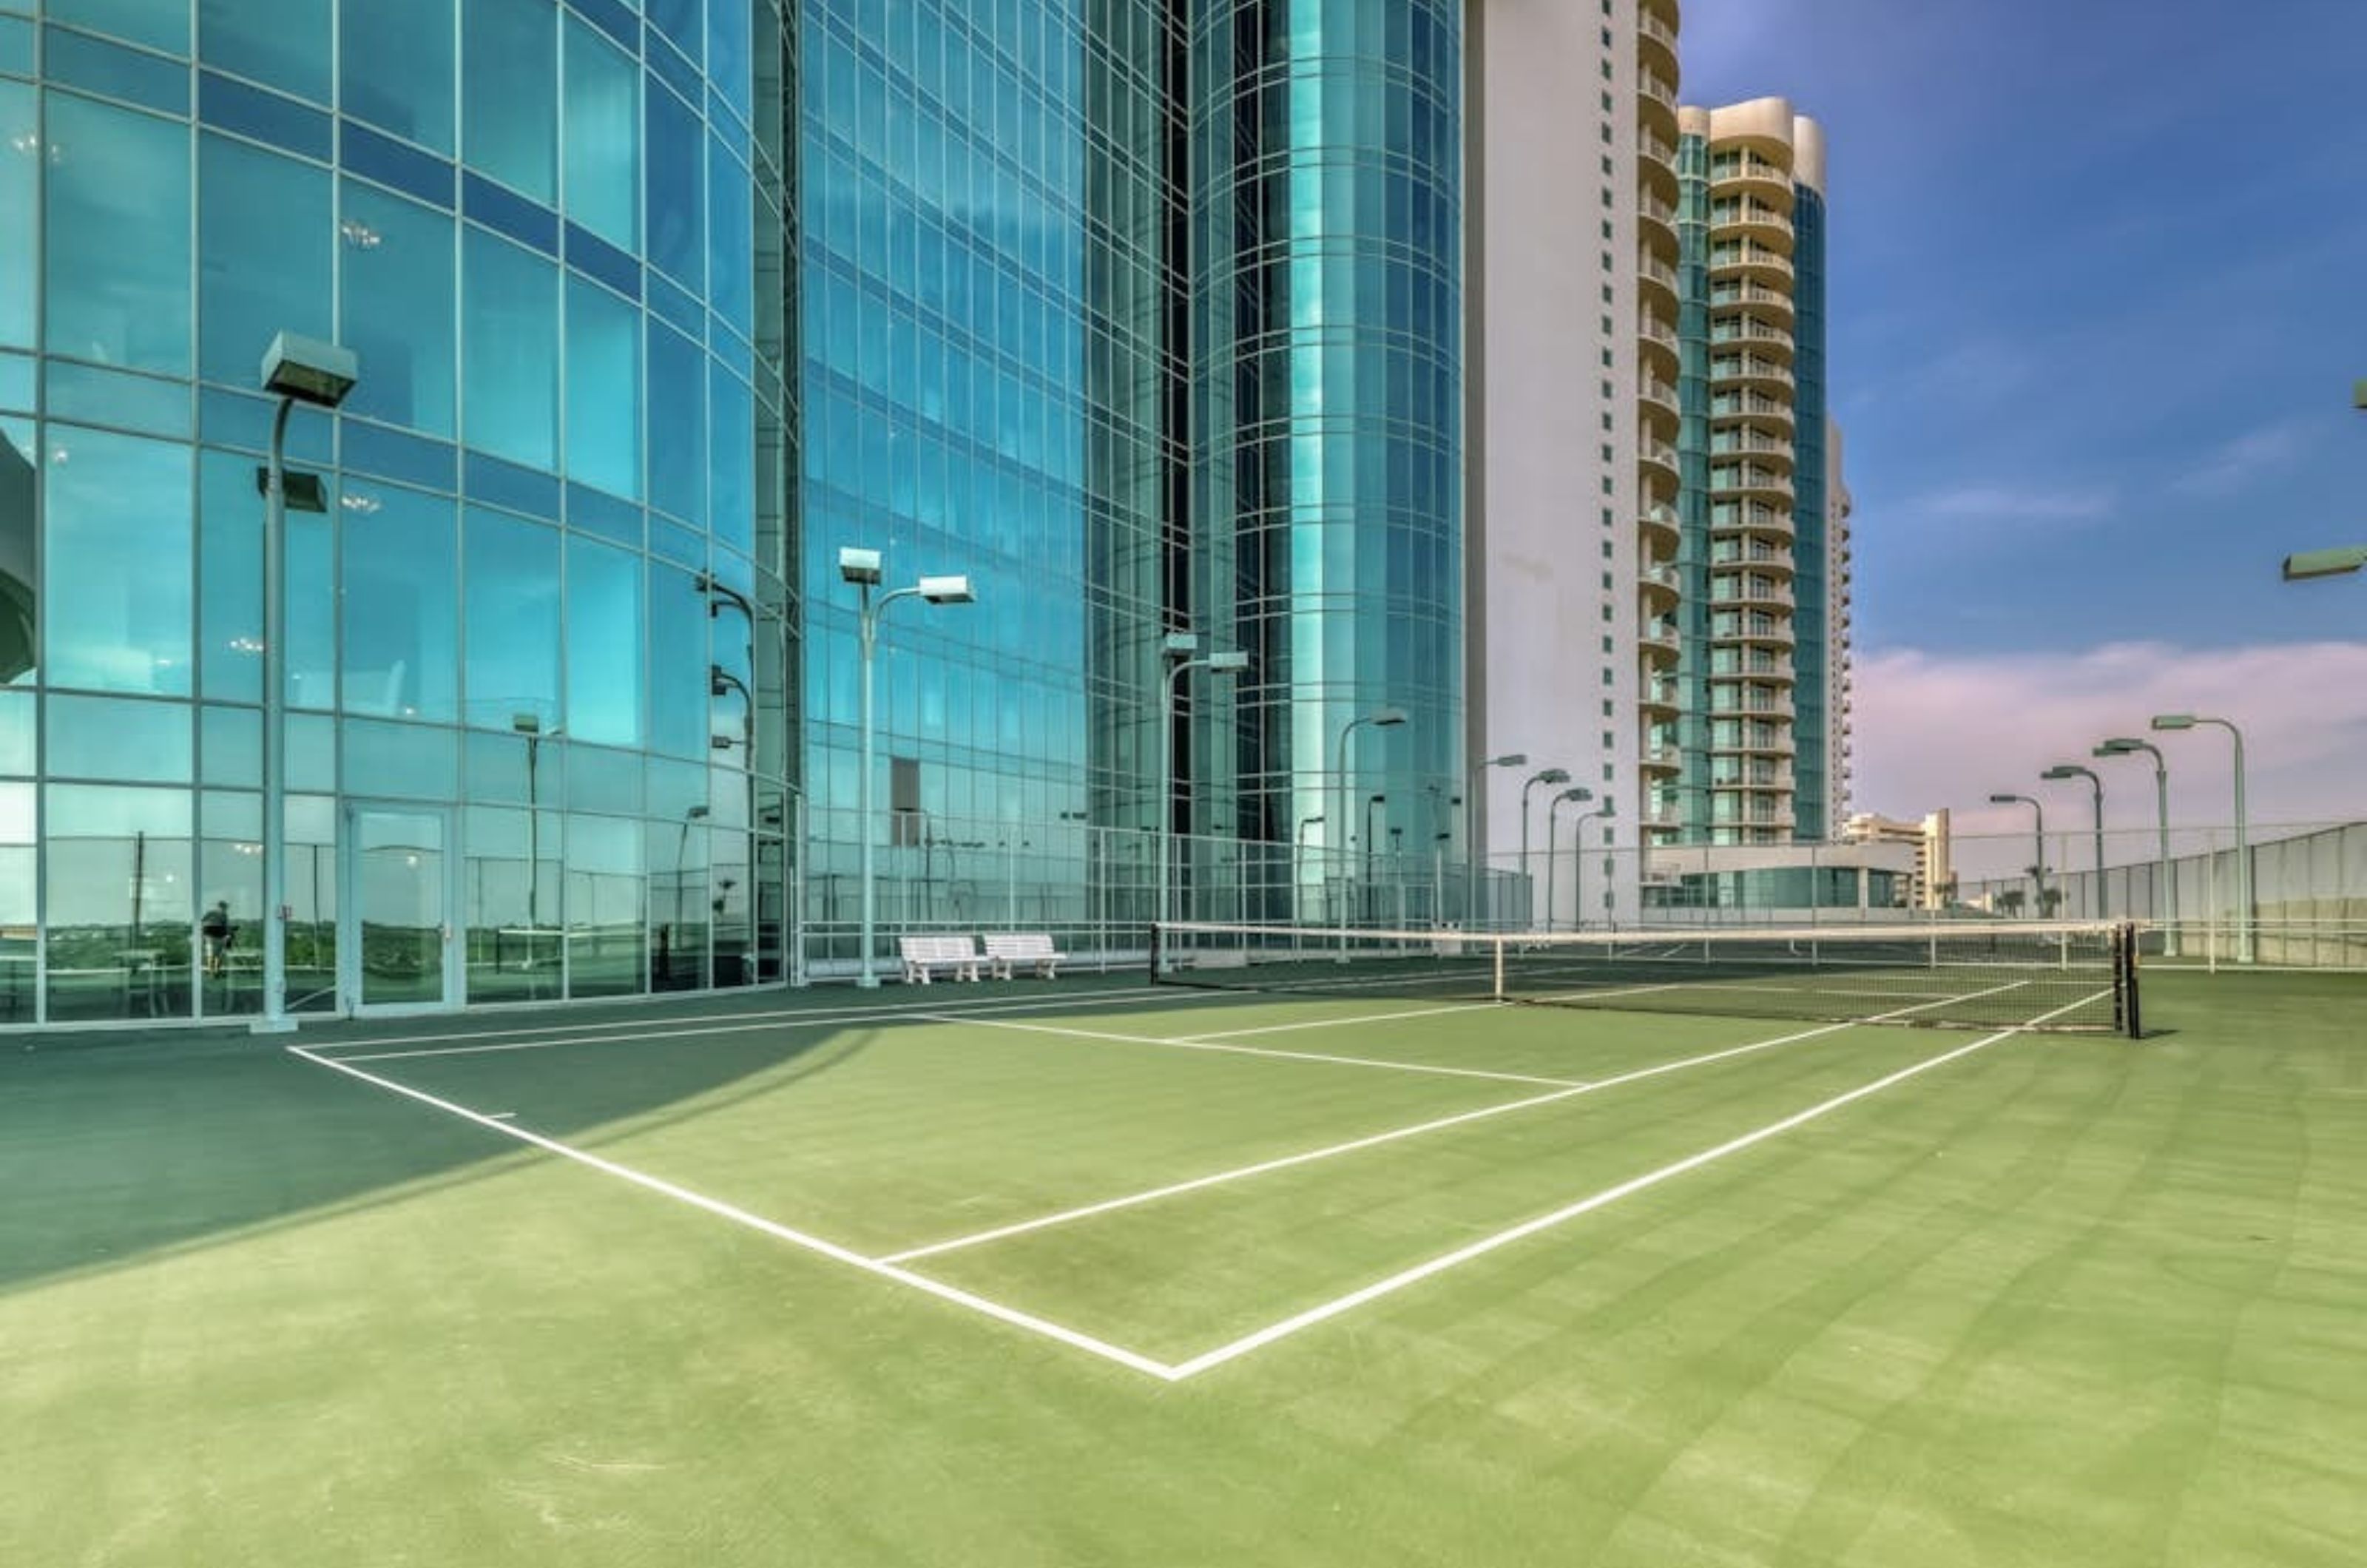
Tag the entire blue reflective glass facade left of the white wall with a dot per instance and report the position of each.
(1142, 314)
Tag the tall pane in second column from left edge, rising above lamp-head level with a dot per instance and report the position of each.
(117, 174)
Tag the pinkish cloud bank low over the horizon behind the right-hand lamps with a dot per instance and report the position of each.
(1952, 728)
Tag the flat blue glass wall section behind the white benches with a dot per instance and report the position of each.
(983, 359)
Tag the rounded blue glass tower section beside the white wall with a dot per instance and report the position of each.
(1327, 449)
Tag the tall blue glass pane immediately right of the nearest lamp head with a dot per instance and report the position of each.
(399, 309)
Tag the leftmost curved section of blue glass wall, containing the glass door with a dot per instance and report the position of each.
(548, 598)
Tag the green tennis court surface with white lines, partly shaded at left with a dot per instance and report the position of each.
(1083, 1273)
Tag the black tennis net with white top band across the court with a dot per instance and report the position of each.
(1994, 975)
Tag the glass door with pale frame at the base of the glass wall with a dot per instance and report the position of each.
(396, 920)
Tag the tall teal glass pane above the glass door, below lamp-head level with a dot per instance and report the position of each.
(401, 617)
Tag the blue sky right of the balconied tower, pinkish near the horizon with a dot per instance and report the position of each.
(2096, 316)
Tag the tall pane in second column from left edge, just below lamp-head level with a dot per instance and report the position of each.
(115, 501)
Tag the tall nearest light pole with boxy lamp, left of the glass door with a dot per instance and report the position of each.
(295, 371)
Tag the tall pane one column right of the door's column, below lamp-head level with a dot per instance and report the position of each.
(512, 593)
